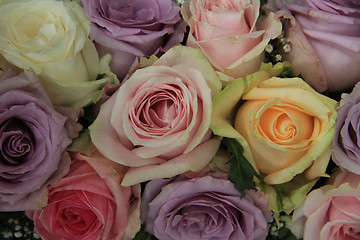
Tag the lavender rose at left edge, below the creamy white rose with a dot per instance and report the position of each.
(33, 139)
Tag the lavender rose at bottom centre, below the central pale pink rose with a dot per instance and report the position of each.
(203, 208)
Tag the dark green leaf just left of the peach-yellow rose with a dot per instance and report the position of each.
(241, 171)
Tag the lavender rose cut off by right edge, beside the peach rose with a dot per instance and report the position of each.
(346, 152)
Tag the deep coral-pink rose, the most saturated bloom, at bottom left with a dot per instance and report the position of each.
(89, 203)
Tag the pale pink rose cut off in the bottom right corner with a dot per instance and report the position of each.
(332, 211)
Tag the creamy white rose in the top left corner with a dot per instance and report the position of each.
(51, 38)
